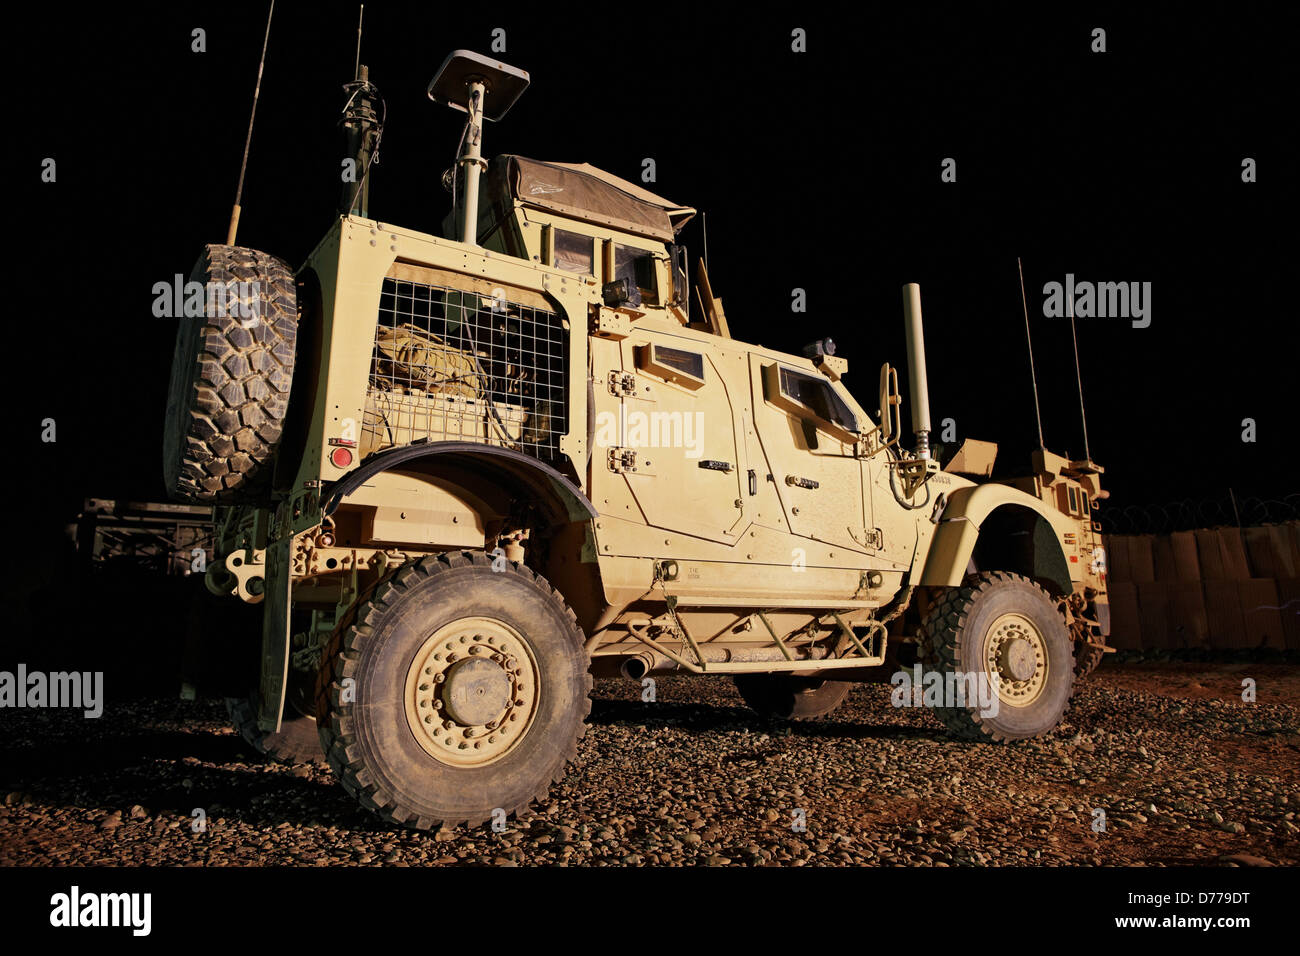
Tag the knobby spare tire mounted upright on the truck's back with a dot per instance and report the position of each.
(231, 378)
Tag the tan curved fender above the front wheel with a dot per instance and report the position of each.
(960, 527)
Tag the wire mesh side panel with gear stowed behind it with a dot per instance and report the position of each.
(460, 366)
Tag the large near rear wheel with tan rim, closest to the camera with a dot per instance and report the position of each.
(401, 686)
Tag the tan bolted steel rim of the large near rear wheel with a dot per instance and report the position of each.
(454, 728)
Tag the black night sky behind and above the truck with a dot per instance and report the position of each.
(818, 171)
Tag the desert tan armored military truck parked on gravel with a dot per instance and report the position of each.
(463, 474)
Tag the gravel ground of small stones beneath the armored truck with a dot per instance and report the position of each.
(1184, 769)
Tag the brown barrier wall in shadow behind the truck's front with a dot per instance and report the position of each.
(1212, 589)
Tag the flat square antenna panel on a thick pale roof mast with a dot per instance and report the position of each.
(469, 83)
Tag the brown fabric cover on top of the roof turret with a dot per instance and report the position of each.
(583, 192)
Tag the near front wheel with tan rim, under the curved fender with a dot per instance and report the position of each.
(1006, 626)
